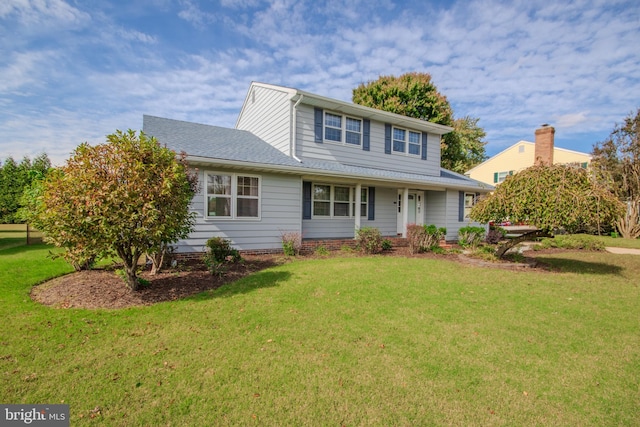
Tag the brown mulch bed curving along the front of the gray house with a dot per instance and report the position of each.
(102, 288)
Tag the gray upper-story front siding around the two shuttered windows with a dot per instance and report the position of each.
(306, 147)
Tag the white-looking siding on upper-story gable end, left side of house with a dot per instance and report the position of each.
(267, 114)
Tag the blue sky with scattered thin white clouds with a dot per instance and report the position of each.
(75, 71)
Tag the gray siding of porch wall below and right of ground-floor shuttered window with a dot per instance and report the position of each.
(344, 228)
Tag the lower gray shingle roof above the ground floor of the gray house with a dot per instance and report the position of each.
(217, 143)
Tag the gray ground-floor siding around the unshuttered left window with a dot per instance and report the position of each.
(281, 204)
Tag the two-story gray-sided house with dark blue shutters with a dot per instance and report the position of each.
(299, 162)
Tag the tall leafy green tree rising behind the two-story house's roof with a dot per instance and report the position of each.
(415, 95)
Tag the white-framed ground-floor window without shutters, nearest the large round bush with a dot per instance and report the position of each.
(232, 196)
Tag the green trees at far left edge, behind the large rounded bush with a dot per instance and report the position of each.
(14, 178)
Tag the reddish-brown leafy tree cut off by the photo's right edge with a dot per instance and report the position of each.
(616, 161)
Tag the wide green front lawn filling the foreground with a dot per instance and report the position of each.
(340, 341)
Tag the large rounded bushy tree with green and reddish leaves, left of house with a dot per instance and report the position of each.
(127, 197)
